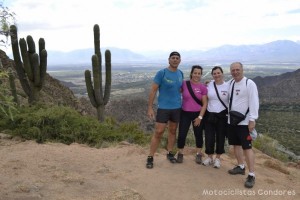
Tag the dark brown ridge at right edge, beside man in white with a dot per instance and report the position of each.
(283, 89)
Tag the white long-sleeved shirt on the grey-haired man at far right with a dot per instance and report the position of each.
(244, 97)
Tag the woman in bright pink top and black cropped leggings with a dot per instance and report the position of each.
(192, 112)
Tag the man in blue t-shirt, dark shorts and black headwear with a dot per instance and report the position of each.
(167, 82)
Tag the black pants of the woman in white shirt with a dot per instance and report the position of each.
(215, 134)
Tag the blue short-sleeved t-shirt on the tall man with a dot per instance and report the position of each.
(169, 82)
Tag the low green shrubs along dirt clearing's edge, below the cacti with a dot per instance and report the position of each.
(64, 124)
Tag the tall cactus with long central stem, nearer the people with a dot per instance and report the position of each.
(97, 98)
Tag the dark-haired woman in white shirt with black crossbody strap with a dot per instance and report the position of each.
(216, 122)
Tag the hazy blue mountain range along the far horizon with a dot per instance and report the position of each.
(281, 51)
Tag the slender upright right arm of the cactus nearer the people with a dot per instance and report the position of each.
(108, 76)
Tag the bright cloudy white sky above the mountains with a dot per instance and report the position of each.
(151, 25)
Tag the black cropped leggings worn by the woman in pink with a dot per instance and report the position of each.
(186, 118)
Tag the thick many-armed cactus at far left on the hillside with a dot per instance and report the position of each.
(32, 71)
